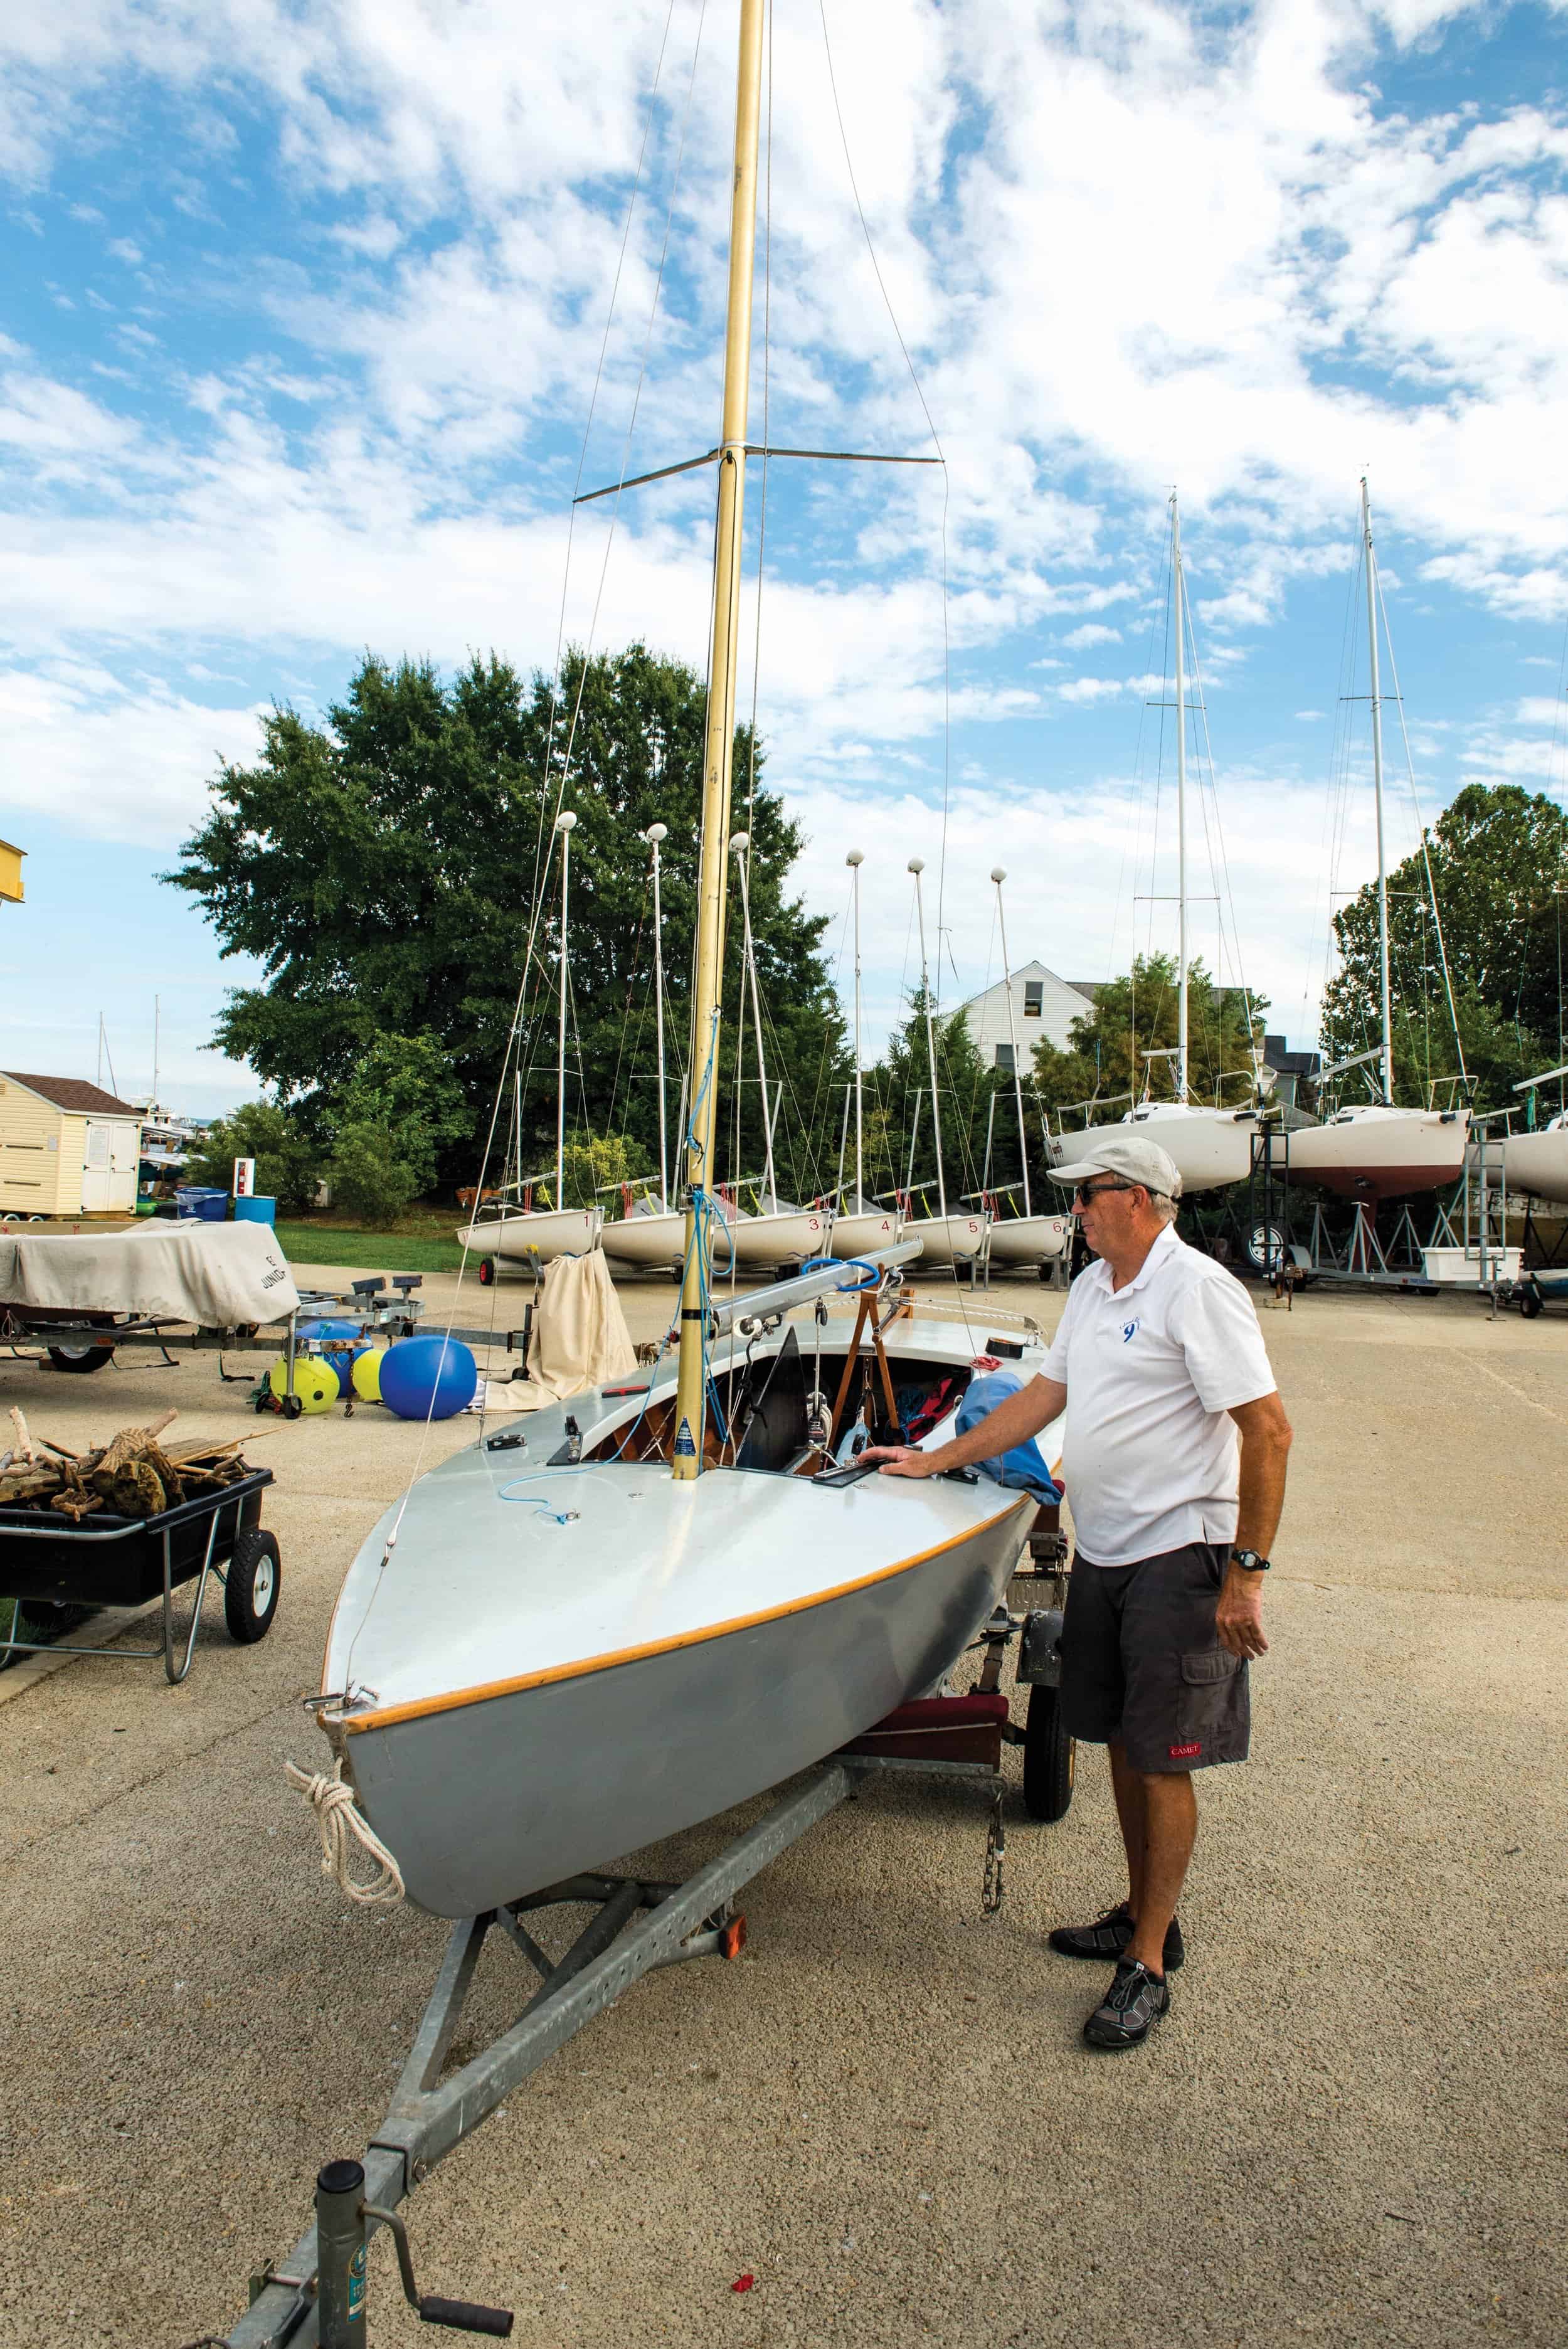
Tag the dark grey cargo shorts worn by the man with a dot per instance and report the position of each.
(1142, 1667)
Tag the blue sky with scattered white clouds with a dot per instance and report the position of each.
(318, 314)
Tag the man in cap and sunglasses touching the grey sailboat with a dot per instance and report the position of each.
(1161, 1366)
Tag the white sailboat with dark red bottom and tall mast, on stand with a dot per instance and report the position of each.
(1377, 1150)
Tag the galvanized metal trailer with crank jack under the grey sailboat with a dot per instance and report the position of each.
(318, 2296)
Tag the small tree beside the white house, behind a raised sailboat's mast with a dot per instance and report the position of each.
(1135, 1016)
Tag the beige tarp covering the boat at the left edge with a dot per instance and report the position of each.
(210, 1274)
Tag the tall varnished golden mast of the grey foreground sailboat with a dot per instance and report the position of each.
(719, 748)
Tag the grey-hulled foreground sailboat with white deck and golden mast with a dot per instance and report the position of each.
(543, 1660)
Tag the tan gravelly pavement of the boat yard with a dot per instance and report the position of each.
(1349, 2129)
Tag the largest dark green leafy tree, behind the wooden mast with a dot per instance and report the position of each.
(388, 863)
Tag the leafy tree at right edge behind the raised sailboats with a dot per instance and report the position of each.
(1499, 861)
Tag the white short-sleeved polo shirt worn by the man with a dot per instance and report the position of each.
(1151, 1371)
